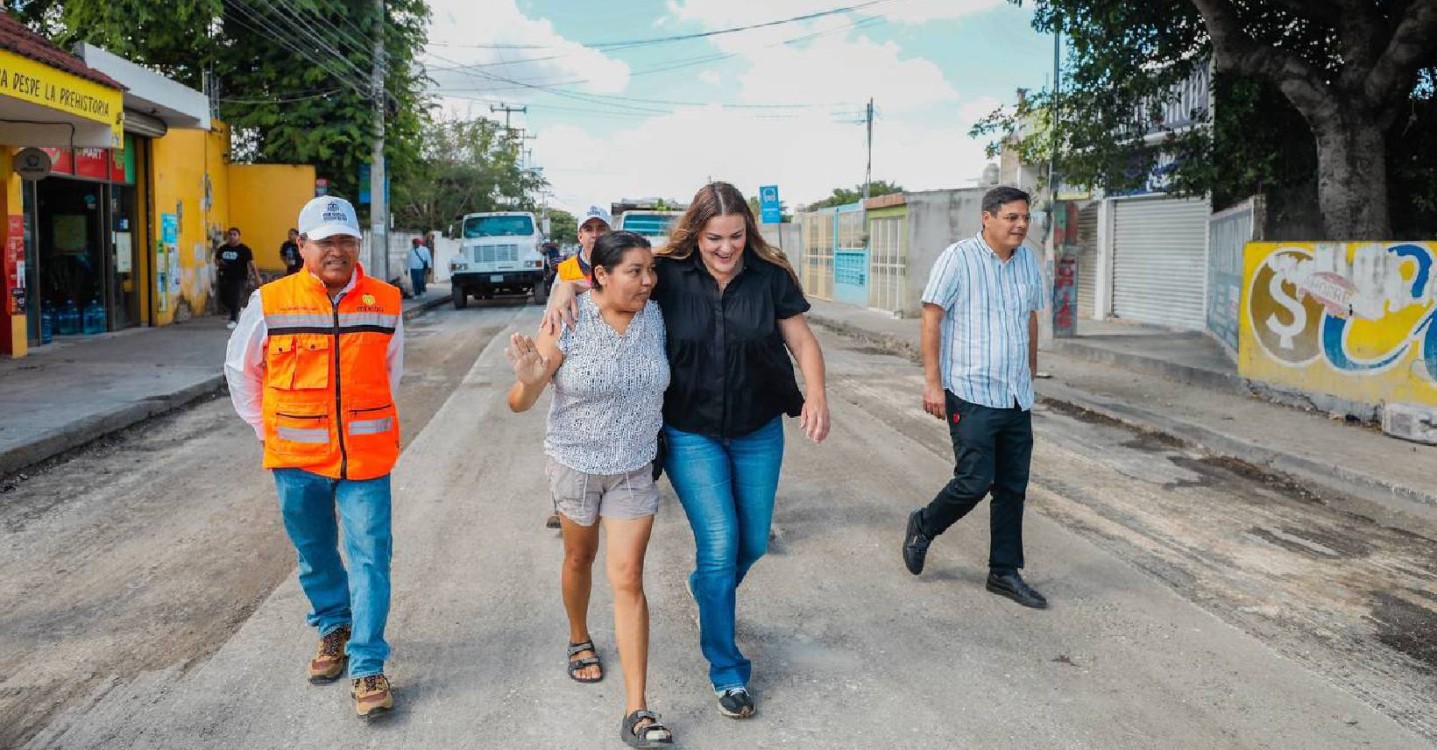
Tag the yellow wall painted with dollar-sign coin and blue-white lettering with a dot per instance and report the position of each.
(1354, 321)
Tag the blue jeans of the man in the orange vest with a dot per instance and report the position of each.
(359, 598)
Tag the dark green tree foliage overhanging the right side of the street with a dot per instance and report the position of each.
(1123, 58)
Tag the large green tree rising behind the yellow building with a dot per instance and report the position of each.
(284, 107)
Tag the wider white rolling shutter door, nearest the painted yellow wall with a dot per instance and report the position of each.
(1159, 262)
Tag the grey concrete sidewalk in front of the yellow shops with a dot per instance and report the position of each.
(81, 389)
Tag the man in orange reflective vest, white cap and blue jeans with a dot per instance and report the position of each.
(314, 367)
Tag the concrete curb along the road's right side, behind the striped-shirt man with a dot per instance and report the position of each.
(1188, 435)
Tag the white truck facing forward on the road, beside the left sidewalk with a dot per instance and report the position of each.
(501, 254)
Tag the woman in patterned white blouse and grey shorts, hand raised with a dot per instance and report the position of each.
(610, 376)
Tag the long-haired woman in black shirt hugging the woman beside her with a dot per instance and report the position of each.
(734, 314)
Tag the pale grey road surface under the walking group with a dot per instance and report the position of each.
(850, 650)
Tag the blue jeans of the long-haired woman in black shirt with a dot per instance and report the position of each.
(728, 489)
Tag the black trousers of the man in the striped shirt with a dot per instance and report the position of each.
(992, 450)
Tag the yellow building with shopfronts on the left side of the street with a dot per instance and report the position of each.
(117, 222)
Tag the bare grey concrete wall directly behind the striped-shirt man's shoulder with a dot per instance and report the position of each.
(936, 221)
